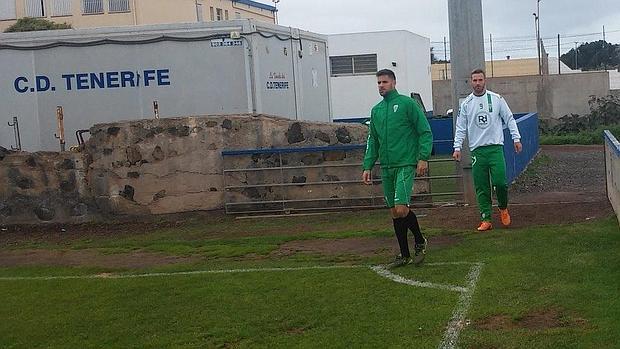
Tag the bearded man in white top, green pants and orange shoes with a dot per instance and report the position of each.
(480, 118)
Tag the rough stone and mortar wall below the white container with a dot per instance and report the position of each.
(153, 166)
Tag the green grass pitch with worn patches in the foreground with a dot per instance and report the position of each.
(539, 287)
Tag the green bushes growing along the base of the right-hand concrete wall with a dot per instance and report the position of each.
(586, 129)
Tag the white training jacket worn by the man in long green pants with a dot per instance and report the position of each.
(481, 119)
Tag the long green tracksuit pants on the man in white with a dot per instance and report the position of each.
(489, 167)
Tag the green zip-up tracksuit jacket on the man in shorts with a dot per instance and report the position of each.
(399, 133)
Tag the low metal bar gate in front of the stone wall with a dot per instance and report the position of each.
(293, 180)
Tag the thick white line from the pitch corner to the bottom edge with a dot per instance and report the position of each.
(457, 322)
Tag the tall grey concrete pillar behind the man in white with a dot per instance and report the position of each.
(466, 54)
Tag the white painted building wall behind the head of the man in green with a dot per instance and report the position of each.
(354, 96)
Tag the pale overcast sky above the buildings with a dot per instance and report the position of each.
(504, 19)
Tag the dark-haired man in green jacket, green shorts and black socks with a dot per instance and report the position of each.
(400, 137)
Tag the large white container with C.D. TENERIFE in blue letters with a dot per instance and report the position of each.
(231, 67)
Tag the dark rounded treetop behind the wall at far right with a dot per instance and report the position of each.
(595, 55)
